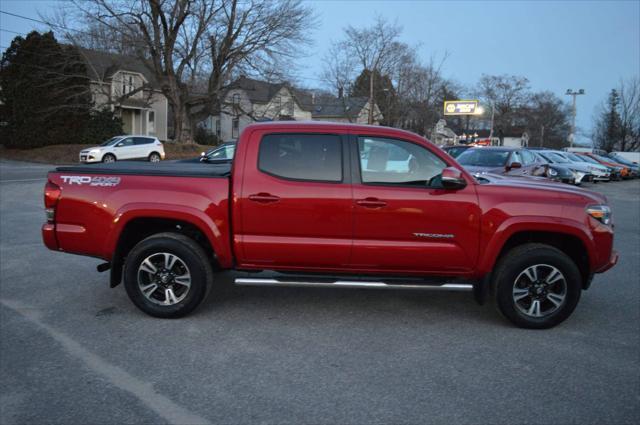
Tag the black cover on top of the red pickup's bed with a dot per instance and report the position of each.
(164, 168)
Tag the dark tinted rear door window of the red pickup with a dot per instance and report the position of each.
(302, 156)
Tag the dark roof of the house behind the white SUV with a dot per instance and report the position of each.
(102, 65)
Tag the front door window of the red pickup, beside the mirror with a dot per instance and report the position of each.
(393, 161)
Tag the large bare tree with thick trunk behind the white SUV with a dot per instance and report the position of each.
(194, 48)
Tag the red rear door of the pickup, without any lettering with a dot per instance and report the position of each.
(294, 209)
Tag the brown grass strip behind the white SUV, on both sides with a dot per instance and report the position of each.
(69, 154)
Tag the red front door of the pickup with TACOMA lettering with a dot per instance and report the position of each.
(403, 220)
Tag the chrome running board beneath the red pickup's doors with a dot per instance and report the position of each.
(351, 284)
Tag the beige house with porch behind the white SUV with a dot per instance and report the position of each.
(123, 84)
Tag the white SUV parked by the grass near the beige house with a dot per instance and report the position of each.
(125, 147)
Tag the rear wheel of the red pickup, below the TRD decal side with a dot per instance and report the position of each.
(191, 264)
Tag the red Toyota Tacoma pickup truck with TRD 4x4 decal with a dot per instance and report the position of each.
(339, 205)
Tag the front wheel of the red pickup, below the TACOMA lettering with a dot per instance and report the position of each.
(542, 303)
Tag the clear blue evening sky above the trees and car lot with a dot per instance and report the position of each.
(556, 44)
